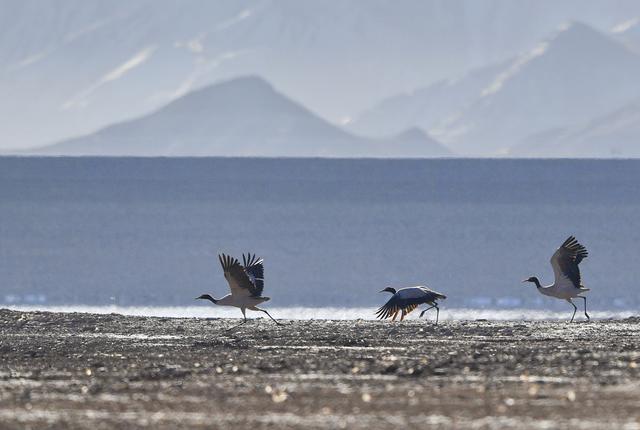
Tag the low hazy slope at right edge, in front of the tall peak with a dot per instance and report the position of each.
(616, 134)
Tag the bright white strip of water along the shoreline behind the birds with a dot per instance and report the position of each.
(330, 313)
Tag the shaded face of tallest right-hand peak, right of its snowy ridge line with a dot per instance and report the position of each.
(576, 75)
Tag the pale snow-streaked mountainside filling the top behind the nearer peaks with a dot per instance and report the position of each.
(67, 68)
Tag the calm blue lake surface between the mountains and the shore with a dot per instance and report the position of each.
(146, 231)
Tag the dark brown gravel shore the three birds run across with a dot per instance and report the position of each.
(72, 371)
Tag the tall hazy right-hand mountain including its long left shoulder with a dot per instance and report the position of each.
(565, 81)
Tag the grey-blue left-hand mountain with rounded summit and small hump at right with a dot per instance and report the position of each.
(241, 117)
